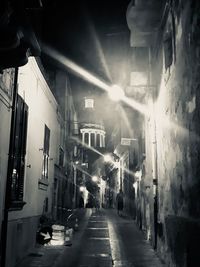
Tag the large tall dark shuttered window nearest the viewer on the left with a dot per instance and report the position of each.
(17, 157)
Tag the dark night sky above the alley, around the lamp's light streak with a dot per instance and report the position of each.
(94, 35)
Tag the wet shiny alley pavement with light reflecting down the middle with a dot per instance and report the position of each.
(103, 240)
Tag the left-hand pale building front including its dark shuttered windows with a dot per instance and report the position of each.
(34, 174)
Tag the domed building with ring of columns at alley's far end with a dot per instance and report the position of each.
(92, 135)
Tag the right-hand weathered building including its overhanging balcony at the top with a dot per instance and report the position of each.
(168, 179)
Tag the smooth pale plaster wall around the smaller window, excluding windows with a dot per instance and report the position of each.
(42, 110)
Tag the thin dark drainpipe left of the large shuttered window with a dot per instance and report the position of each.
(4, 228)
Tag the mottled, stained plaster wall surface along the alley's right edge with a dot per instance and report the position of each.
(178, 147)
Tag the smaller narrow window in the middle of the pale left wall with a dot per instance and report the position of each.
(45, 164)
